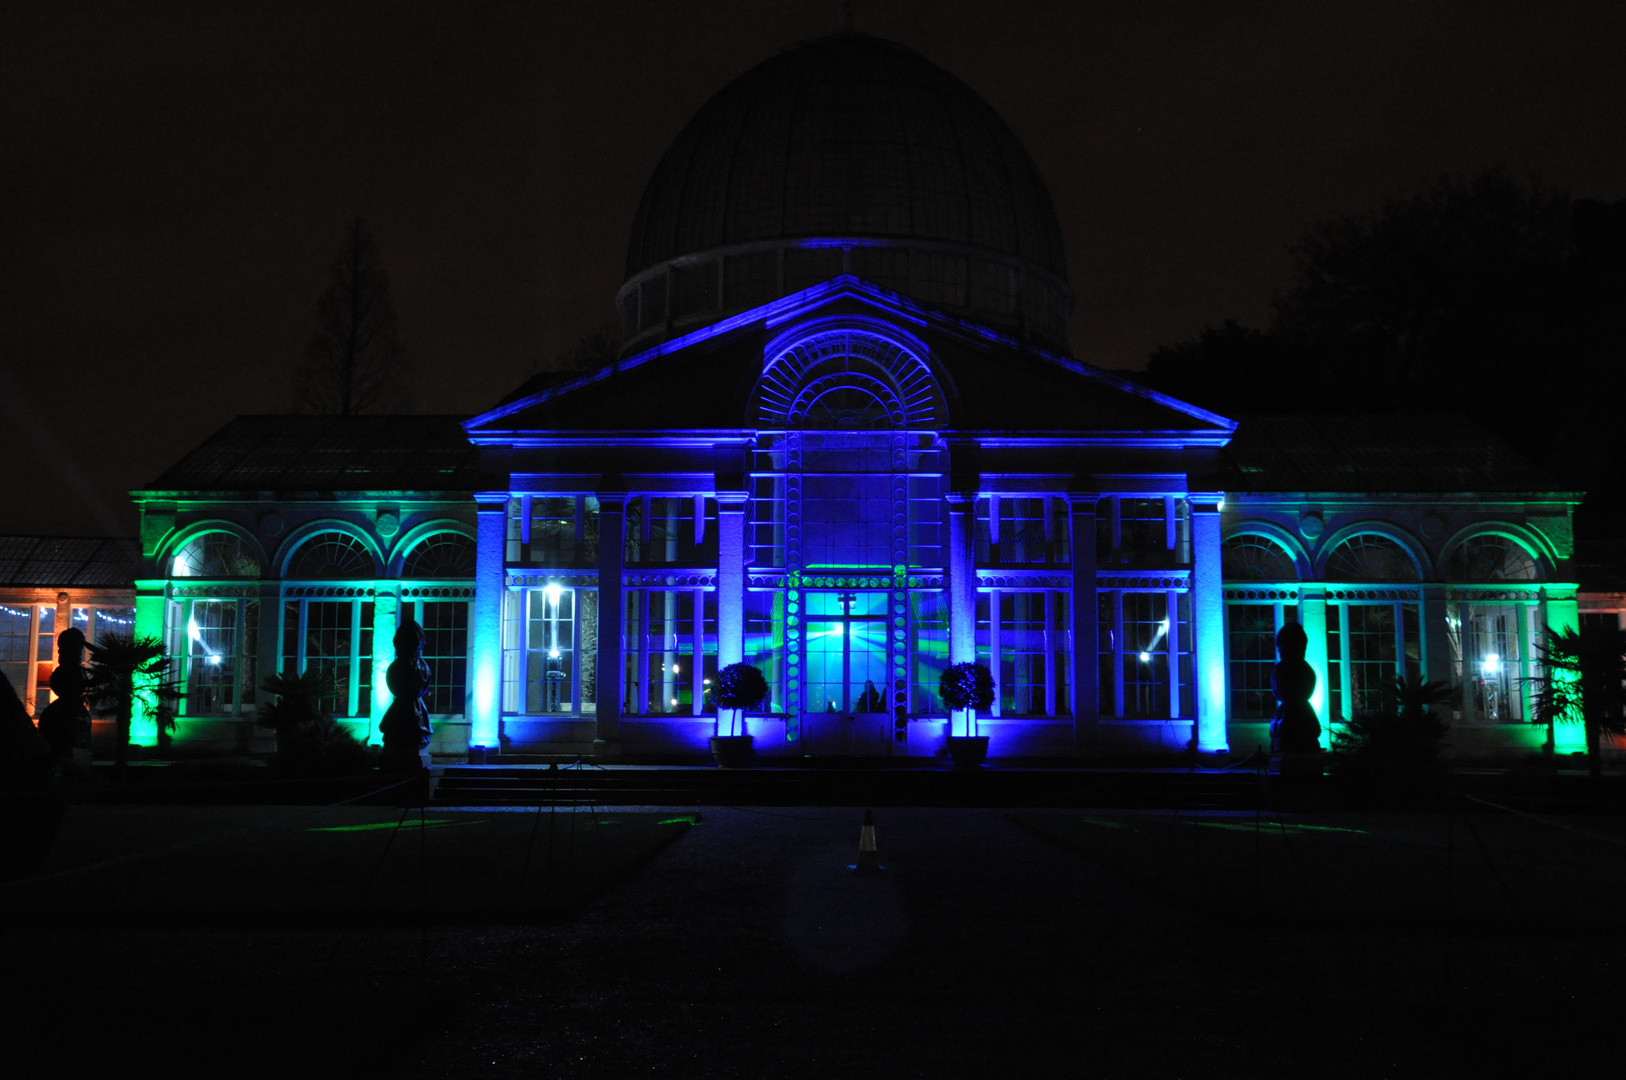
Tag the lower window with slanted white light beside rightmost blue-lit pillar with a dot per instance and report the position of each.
(1144, 650)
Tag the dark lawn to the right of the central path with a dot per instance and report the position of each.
(1401, 873)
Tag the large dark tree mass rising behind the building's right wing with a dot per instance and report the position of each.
(1487, 297)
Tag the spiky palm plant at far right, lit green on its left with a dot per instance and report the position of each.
(1583, 681)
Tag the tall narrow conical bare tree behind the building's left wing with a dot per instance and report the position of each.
(355, 362)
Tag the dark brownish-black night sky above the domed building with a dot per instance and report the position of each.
(173, 183)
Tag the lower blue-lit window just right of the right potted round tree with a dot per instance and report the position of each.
(1027, 650)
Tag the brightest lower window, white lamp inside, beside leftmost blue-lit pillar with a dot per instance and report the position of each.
(550, 651)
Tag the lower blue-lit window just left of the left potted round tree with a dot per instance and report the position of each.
(671, 653)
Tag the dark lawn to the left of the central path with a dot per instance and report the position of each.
(333, 869)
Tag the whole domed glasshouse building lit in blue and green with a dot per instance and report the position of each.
(846, 443)
